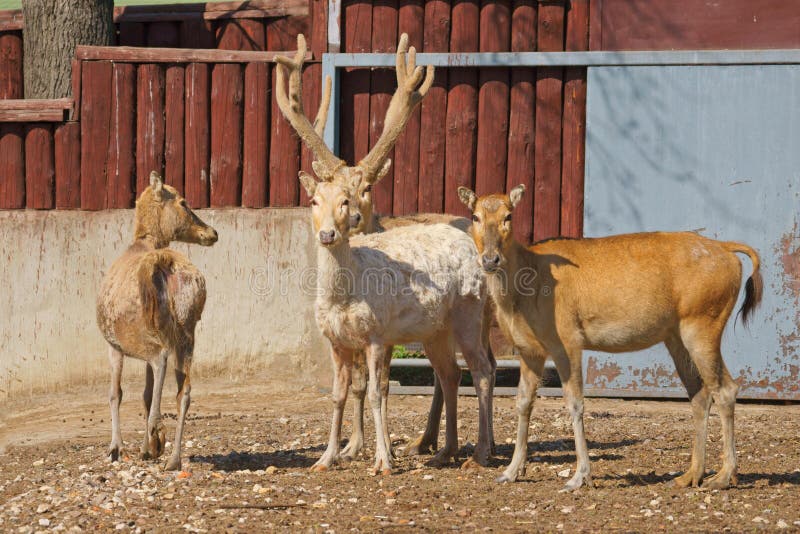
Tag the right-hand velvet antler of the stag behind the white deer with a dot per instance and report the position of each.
(409, 93)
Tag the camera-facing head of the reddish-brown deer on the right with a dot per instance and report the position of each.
(491, 225)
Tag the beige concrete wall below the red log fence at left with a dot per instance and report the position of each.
(258, 317)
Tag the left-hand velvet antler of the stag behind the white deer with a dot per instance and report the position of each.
(292, 108)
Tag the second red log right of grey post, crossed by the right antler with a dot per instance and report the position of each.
(382, 87)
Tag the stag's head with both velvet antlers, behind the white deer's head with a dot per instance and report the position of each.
(357, 181)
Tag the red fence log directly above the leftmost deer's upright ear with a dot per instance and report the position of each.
(150, 127)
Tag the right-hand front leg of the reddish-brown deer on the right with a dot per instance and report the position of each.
(569, 368)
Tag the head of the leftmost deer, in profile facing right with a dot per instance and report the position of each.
(163, 215)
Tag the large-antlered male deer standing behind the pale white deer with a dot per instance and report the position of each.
(411, 90)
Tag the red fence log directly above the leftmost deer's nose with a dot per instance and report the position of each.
(227, 89)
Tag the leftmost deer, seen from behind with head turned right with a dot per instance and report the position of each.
(149, 303)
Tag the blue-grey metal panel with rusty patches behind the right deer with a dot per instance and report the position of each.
(714, 149)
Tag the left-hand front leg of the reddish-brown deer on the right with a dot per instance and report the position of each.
(531, 368)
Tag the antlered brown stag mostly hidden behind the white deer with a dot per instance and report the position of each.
(359, 178)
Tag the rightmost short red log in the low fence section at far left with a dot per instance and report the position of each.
(68, 165)
